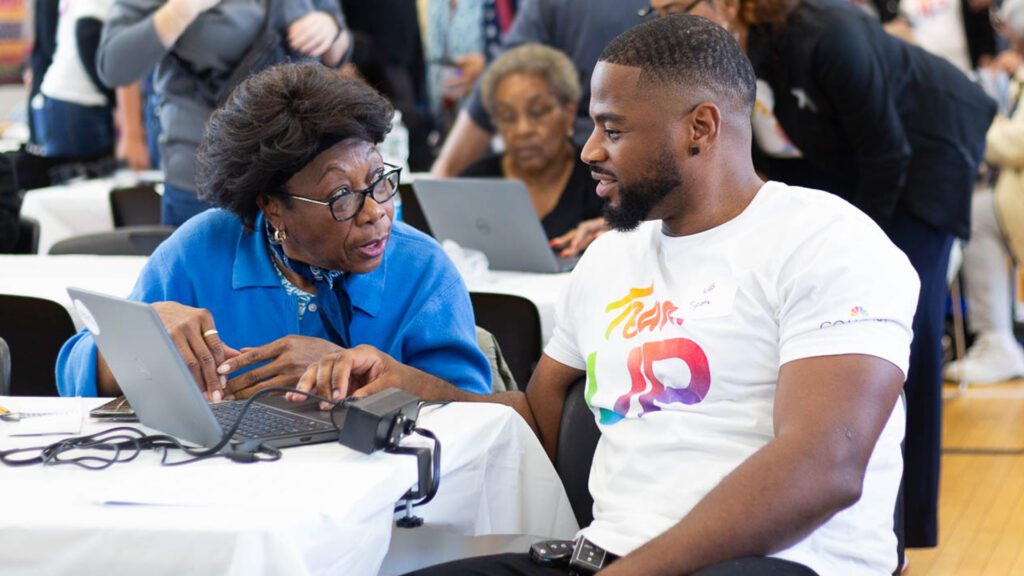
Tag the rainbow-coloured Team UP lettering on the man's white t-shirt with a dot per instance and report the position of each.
(634, 316)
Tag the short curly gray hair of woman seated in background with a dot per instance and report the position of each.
(550, 65)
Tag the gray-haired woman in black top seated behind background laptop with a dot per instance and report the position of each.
(531, 94)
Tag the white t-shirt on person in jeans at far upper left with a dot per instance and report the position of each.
(66, 78)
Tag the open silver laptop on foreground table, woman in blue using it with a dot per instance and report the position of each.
(154, 378)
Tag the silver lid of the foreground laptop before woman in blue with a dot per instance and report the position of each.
(148, 366)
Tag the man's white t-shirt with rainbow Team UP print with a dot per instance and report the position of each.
(682, 340)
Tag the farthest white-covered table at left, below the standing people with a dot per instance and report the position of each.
(77, 209)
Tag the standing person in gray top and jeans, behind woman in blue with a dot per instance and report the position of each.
(197, 47)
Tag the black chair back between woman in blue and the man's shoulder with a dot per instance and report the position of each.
(517, 325)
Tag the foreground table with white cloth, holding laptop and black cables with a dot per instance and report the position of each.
(321, 510)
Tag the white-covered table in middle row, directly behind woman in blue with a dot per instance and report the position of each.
(48, 277)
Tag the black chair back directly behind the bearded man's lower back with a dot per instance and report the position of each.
(578, 436)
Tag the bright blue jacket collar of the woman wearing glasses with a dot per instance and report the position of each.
(254, 267)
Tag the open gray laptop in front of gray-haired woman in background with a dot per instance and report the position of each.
(494, 216)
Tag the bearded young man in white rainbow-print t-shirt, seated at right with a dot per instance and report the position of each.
(745, 348)
